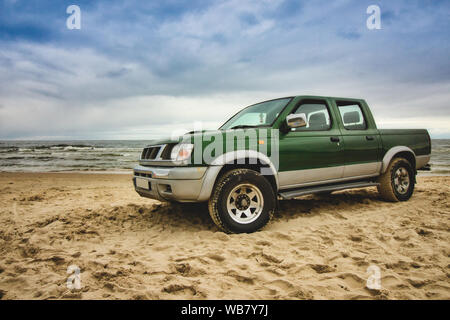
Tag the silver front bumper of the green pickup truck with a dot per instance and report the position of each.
(183, 184)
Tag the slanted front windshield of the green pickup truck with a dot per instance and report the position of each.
(257, 115)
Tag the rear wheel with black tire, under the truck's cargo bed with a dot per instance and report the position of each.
(397, 183)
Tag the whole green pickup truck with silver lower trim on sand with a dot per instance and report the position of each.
(281, 149)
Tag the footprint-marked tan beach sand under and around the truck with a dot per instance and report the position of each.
(128, 247)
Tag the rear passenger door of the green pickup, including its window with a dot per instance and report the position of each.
(361, 139)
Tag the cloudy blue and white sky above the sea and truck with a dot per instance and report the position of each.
(142, 69)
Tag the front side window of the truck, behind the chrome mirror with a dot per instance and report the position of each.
(317, 115)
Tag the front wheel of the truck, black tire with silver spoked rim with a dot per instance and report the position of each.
(242, 201)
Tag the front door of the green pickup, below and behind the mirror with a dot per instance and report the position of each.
(311, 154)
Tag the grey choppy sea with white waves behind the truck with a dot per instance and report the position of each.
(120, 156)
